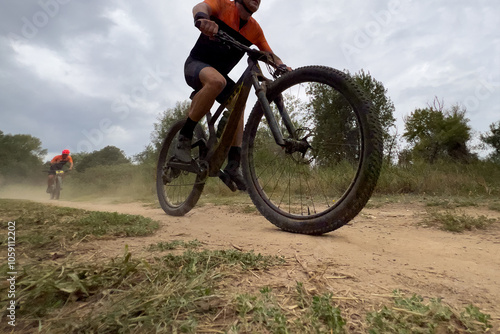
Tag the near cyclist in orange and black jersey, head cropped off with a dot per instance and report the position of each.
(209, 63)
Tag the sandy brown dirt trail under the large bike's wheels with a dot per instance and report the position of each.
(383, 249)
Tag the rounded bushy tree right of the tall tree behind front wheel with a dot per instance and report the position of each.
(435, 133)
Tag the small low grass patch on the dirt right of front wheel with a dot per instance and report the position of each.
(454, 222)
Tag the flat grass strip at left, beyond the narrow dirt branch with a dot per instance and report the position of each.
(45, 227)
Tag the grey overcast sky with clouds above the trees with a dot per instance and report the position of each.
(86, 74)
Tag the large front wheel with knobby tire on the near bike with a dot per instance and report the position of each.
(324, 179)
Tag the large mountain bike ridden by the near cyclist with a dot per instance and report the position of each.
(312, 147)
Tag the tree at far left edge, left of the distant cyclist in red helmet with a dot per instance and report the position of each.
(21, 156)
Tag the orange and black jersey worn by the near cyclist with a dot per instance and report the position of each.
(222, 57)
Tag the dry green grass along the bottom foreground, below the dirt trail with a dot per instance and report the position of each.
(195, 292)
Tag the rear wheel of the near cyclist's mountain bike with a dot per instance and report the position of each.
(178, 191)
